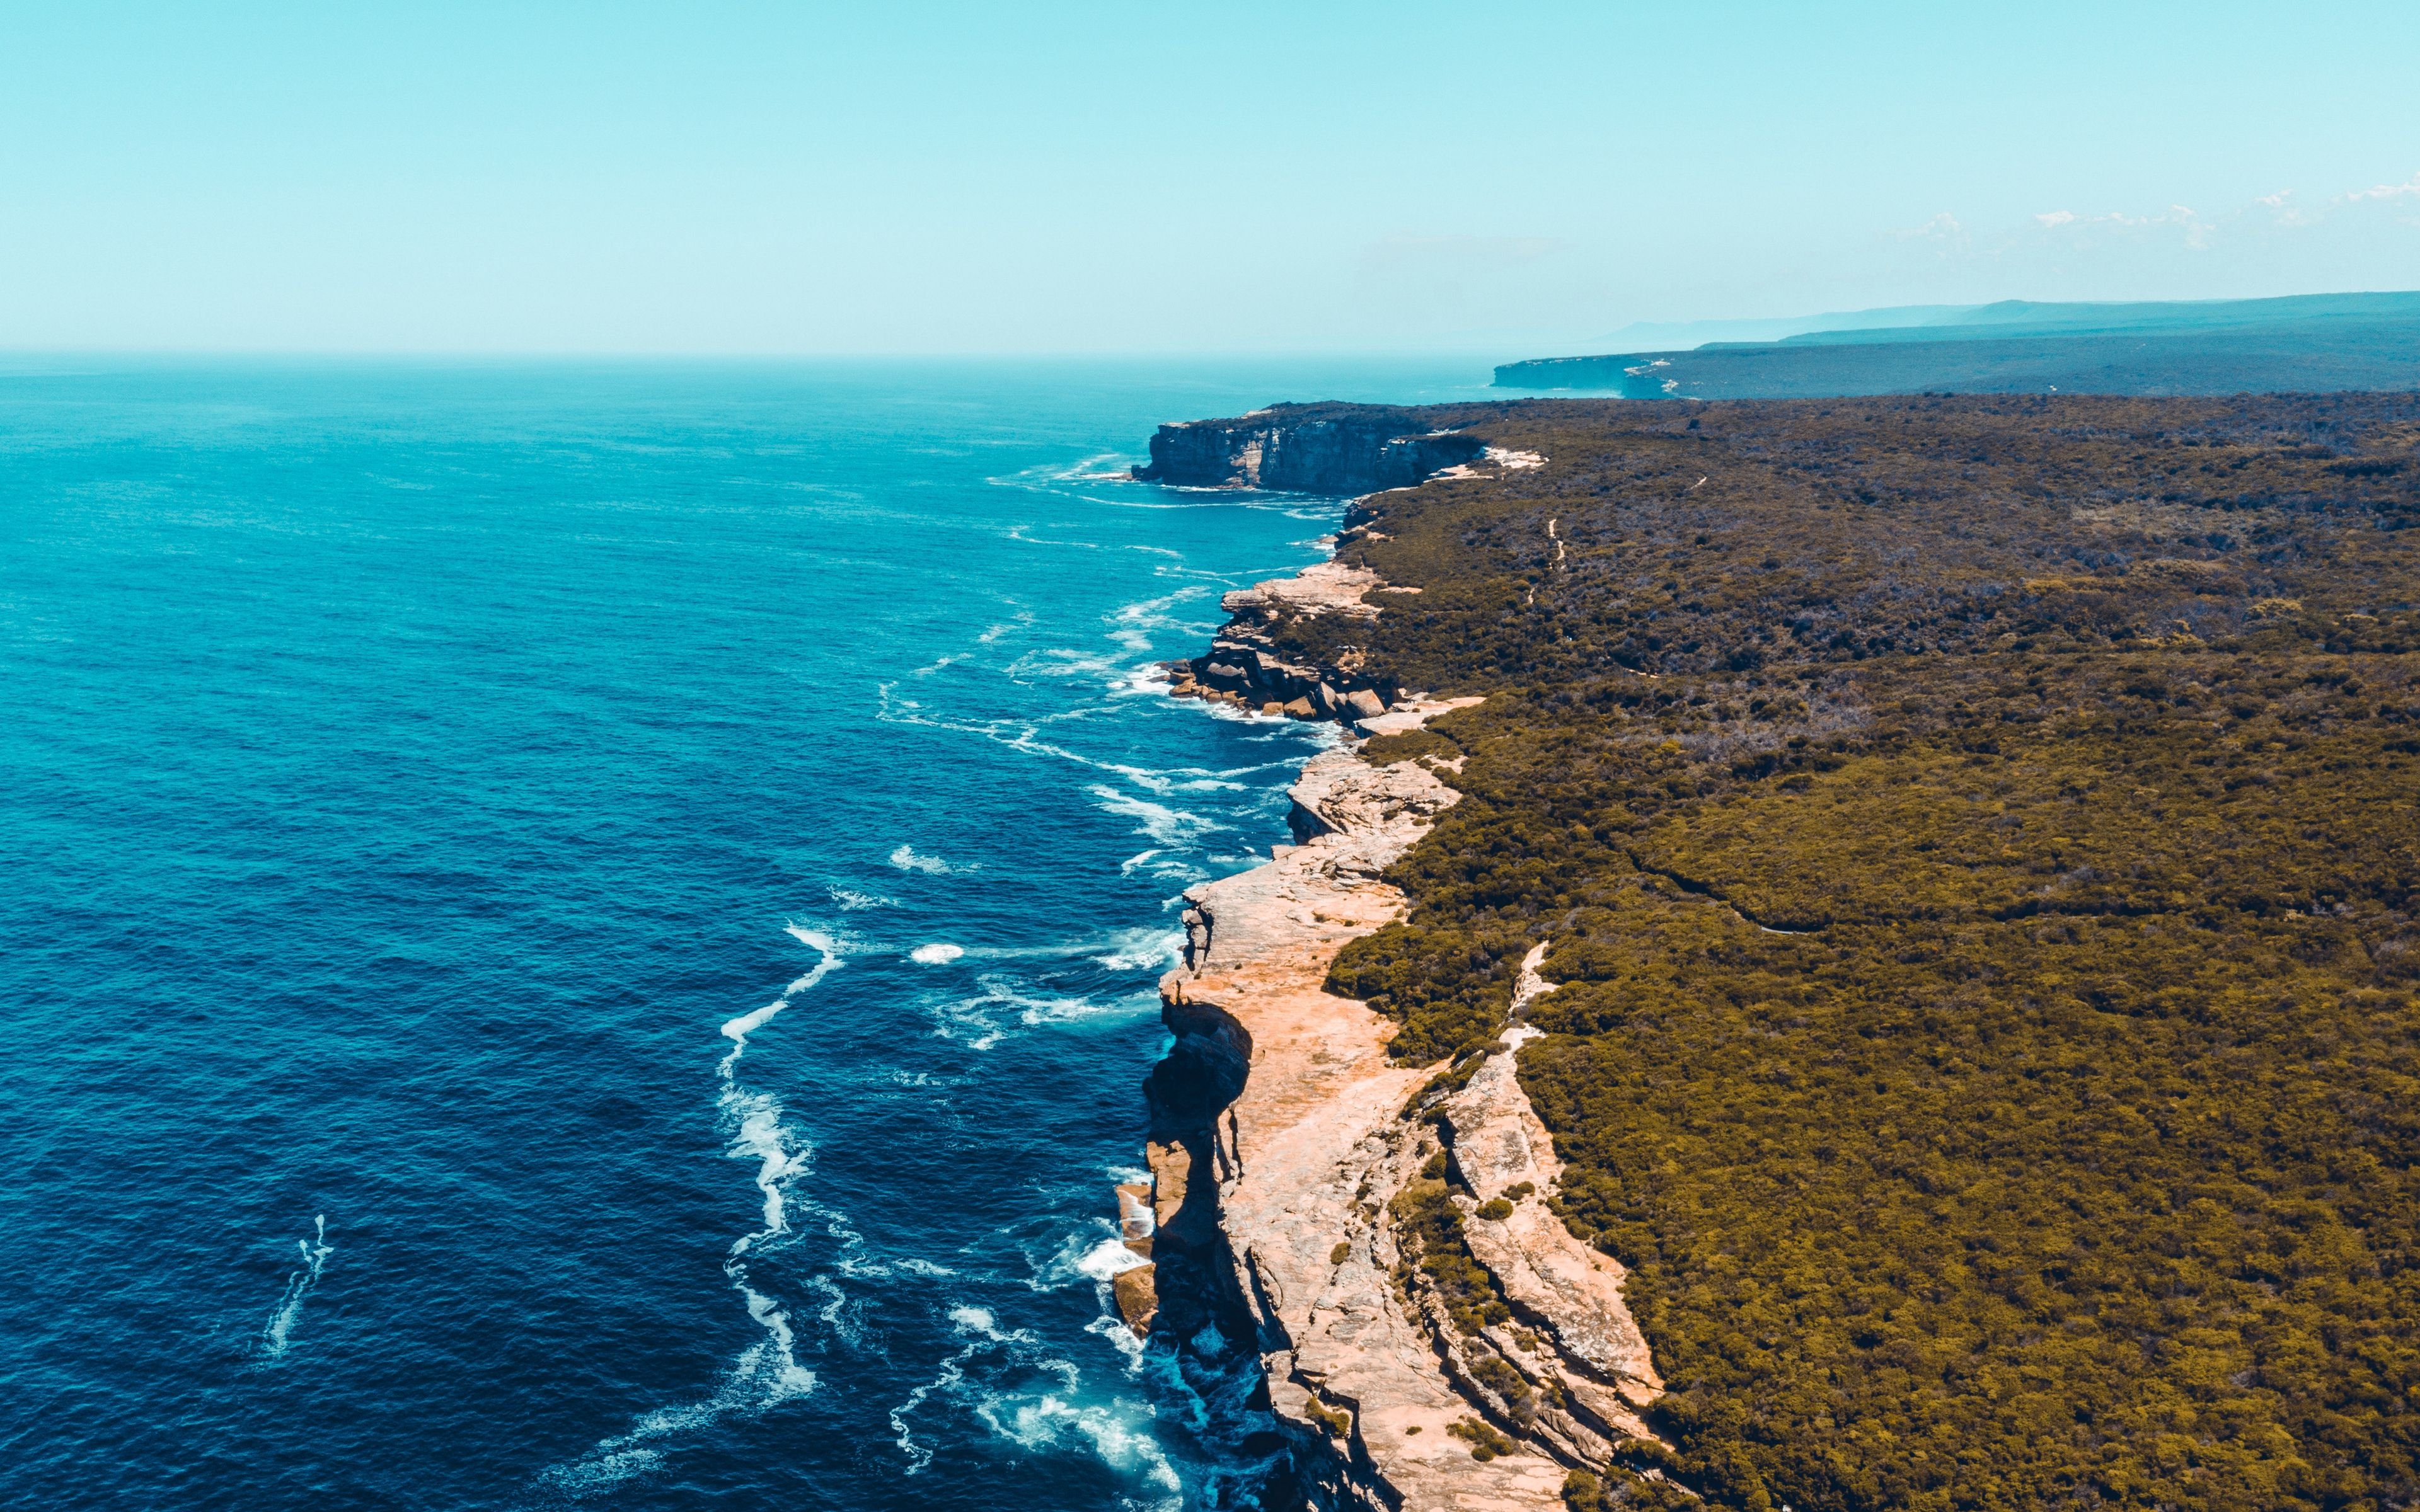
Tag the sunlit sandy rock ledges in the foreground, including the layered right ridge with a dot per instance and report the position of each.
(1289, 1182)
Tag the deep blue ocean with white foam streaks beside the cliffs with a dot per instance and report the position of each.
(669, 865)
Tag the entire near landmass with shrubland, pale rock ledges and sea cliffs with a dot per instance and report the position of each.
(1860, 954)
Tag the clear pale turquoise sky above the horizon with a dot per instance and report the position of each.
(909, 178)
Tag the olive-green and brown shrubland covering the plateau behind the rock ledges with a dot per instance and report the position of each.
(1978, 843)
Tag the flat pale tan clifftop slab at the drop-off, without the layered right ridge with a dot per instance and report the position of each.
(1313, 1148)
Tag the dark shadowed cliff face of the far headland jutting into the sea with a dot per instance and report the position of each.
(1308, 449)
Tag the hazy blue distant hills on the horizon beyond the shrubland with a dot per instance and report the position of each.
(2162, 347)
